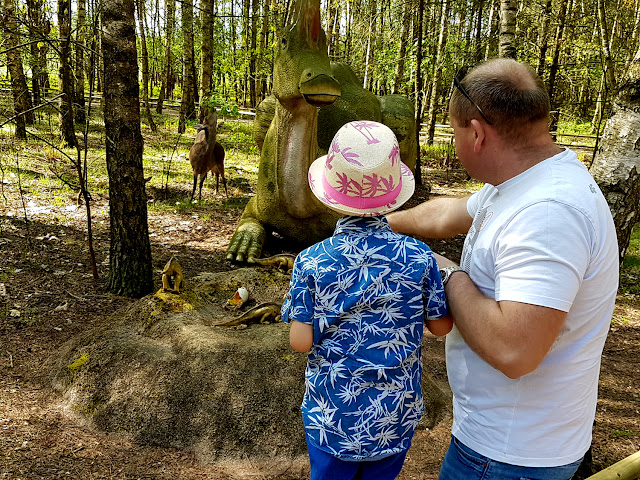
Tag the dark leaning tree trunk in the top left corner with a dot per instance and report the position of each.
(19, 89)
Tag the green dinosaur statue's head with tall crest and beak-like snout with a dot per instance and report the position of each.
(302, 70)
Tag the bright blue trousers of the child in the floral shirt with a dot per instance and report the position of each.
(325, 466)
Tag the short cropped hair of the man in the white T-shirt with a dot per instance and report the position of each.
(510, 94)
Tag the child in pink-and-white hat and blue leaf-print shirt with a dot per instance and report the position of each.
(358, 301)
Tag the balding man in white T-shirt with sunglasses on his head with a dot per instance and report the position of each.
(533, 298)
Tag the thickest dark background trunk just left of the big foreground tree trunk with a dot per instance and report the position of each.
(67, 124)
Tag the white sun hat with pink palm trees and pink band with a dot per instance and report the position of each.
(362, 174)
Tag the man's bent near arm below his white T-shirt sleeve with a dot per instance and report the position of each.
(512, 337)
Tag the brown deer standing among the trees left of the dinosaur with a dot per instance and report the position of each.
(207, 155)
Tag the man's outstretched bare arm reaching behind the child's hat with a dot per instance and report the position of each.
(443, 217)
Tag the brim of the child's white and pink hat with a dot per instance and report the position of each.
(316, 171)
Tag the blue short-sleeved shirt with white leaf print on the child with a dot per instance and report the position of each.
(366, 290)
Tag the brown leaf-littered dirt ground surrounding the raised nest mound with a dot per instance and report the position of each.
(47, 295)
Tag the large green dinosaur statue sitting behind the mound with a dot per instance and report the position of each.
(292, 132)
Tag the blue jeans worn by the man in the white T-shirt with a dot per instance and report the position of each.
(462, 463)
